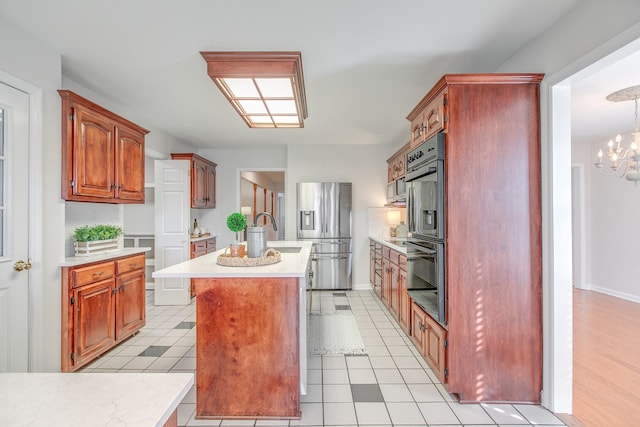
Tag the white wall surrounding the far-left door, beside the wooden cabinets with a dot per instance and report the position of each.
(34, 63)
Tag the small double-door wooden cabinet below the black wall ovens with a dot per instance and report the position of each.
(430, 339)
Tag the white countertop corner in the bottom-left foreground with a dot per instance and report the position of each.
(91, 399)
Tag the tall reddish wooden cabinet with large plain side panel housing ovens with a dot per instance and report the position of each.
(493, 233)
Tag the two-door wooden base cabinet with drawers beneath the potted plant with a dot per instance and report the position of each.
(103, 303)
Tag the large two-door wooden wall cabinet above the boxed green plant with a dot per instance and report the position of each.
(102, 154)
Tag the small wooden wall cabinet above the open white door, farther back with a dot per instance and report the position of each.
(203, 180)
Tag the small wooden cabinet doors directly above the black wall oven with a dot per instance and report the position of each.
(428, 117)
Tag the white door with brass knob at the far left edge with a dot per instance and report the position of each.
(14, 228)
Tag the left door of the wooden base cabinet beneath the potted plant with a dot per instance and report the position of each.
(94, 326)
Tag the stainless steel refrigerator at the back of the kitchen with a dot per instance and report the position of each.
(324, 216)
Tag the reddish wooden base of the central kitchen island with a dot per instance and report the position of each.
(248, 361)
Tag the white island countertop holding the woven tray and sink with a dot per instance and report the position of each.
(205, 266)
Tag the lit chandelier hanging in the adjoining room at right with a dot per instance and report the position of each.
(623, 161)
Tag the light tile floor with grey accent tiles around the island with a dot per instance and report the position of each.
(390, 386)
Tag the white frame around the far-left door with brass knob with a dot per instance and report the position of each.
(35, 232)
